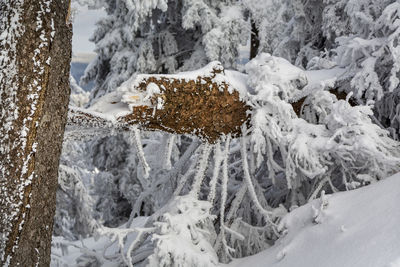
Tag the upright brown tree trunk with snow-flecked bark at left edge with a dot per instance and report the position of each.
(35, 52)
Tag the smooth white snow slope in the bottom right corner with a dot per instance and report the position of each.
(357, 228)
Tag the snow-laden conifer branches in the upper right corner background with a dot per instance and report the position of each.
(360, 36)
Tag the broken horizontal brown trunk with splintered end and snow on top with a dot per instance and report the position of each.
(205, 105)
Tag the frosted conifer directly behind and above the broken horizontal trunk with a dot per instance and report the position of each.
(163, 37)
